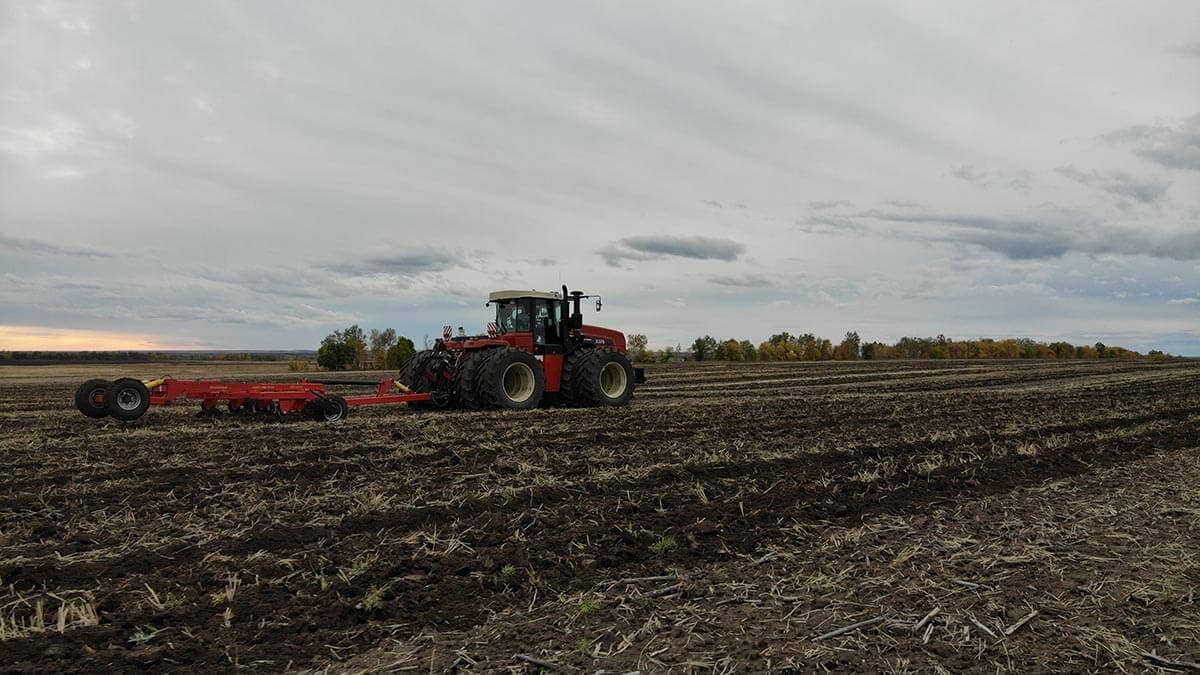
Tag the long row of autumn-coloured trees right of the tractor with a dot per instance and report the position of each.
(785, 347)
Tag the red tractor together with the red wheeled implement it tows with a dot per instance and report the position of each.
(538, 348)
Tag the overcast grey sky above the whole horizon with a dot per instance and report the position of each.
(255, 175)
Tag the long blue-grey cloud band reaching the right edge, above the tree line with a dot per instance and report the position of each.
(1049, 235)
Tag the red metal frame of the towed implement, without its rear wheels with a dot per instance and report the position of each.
(290, 397)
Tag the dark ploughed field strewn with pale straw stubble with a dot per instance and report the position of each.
(1018, 516)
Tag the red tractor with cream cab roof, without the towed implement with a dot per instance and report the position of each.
(538, 350)
